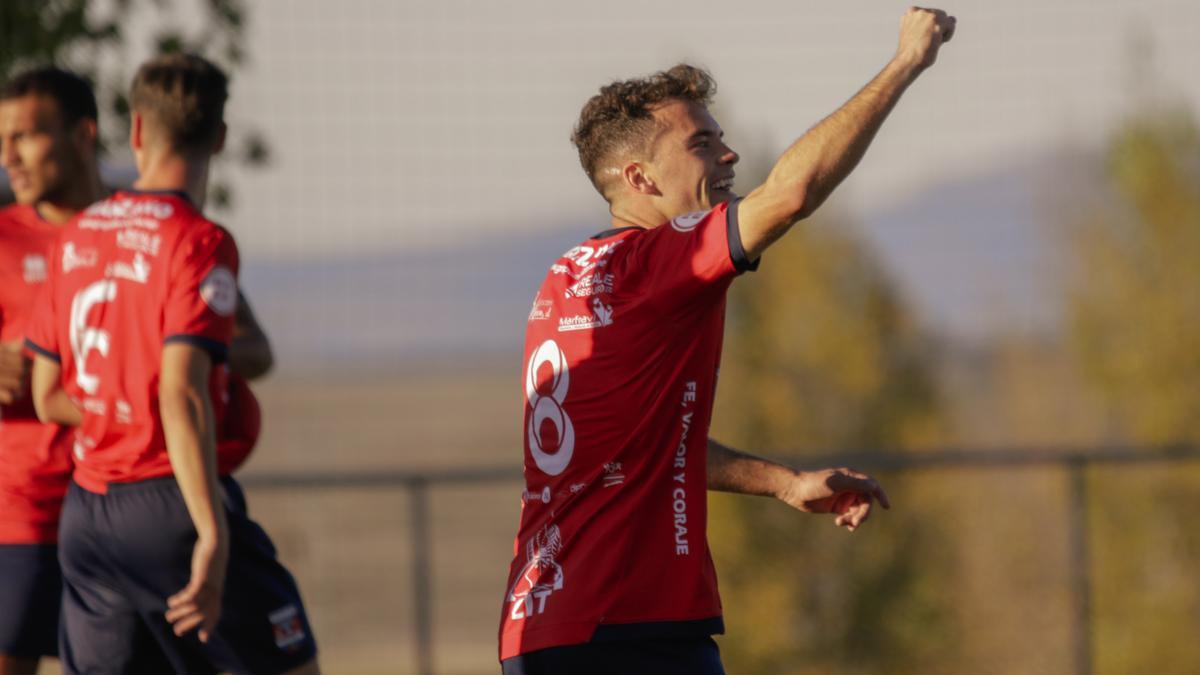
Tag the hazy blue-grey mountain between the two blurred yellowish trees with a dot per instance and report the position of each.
(979, 254)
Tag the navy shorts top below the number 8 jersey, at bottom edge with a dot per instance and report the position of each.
(682, 656)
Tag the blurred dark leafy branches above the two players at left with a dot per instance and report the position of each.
(97, 39)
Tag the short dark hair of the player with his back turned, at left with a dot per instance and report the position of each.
(184, 98)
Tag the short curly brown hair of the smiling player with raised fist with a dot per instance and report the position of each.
(620, 120)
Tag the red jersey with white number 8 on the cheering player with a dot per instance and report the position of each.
(622, 351)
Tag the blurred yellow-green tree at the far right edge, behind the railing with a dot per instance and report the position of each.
(1135, 319)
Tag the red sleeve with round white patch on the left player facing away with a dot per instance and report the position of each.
(202, 291)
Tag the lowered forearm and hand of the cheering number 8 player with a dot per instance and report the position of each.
(844, 493)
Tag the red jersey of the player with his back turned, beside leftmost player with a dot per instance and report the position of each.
(129, 276)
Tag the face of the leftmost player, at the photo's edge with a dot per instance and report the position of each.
(37, 150)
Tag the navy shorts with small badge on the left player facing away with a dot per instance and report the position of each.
(125, 553)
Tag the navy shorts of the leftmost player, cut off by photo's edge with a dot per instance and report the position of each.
(31, 596)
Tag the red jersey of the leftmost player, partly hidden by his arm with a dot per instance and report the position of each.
(35, 465)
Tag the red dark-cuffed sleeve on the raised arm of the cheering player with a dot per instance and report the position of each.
(693, 254)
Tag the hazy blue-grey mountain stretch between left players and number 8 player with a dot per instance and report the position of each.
(392, 309)
